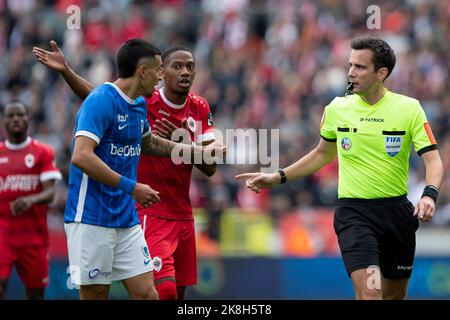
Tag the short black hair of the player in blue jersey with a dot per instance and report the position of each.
(130, 53)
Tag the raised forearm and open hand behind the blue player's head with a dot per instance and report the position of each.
(55, 60)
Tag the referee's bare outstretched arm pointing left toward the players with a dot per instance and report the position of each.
(320, 156)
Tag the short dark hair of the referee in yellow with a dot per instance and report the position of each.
(383, 55)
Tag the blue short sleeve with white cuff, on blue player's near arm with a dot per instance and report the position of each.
(96, 114)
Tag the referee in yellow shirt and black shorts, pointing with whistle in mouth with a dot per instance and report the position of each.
(371, 131)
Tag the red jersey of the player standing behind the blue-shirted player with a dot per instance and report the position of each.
(170, 180)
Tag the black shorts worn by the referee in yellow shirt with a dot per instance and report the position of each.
(379, 232)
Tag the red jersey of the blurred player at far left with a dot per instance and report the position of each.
(23, 167)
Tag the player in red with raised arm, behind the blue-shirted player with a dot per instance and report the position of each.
(169, 224)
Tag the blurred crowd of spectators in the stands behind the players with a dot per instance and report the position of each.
(270, 64)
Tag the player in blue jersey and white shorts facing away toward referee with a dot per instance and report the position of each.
(105, 239)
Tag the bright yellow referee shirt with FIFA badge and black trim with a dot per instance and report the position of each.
(374, 141)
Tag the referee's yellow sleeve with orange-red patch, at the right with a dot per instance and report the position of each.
(421, 134)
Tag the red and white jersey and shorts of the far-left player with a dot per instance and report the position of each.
(24, 237)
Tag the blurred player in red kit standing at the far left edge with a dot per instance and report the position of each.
(27, 178)
